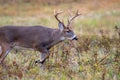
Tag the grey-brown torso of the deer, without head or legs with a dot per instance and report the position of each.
(30, 37)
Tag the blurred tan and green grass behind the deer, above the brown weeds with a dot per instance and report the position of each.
(96, 14)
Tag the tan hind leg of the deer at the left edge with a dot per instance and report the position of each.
(5, 48)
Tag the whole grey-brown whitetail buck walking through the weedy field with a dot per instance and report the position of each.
(39, 38)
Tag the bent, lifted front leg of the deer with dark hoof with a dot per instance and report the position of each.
(44, 55)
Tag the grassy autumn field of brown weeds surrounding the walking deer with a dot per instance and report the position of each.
(95, 56)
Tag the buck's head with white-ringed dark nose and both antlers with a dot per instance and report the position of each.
(66, 31)
